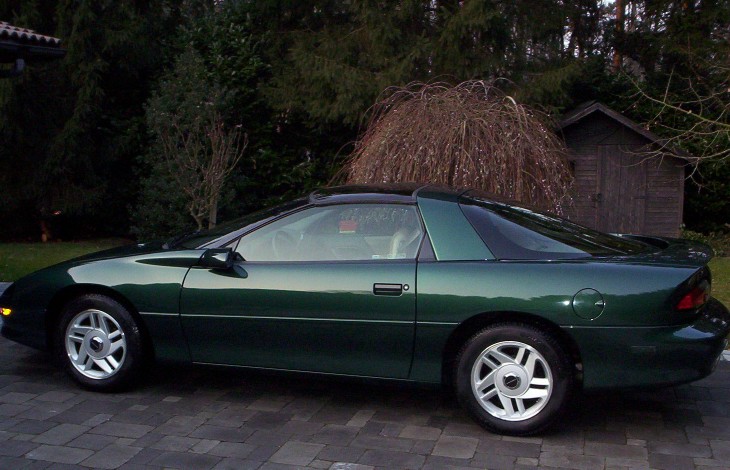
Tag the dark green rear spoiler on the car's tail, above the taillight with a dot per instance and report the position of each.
(672, 251)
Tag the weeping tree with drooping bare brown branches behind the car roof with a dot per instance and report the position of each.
(468, 135)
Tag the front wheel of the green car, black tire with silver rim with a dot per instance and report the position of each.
(99, 343)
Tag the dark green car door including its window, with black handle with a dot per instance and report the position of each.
(326, 289)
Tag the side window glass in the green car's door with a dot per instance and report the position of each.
(348, 232)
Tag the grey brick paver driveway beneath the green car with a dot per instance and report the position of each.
(221, 418)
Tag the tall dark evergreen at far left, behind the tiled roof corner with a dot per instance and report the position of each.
(71, 128)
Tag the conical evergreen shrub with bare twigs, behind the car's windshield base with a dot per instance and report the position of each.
(193, 152)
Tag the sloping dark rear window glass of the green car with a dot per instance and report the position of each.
(513, 232)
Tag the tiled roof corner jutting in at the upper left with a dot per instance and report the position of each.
(21, 43)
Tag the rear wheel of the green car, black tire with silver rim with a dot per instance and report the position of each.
(513, 379)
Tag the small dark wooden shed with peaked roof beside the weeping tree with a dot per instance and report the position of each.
(618, 188)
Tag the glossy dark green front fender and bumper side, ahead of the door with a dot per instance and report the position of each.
(149, 283)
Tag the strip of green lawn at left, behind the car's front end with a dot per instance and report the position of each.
(19, 259)
